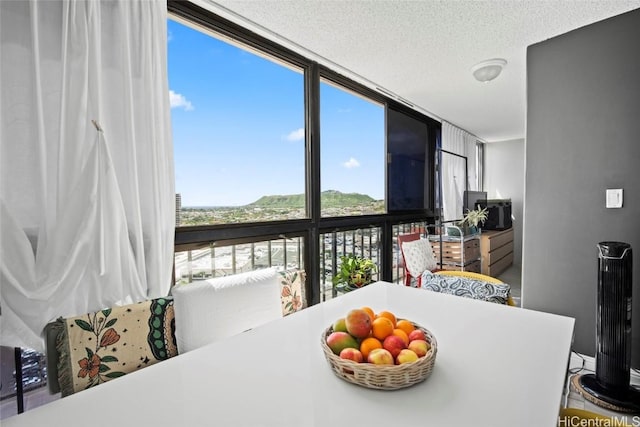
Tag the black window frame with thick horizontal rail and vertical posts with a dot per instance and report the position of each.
(198, 237)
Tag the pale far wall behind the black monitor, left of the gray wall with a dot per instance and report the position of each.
(504, 179)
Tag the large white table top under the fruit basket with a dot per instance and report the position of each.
(496, 366)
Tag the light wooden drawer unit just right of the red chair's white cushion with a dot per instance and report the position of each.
(457, 253)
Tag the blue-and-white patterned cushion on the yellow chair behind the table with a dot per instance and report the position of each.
(466, 287)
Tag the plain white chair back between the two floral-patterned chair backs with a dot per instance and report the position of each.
(213, 309)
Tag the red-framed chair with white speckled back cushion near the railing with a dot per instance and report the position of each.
(417, 257)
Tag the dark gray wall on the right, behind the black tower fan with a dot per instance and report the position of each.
(583, 136)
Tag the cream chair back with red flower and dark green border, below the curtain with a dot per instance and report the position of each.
(98, 347)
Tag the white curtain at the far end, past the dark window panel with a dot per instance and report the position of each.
(462, 143)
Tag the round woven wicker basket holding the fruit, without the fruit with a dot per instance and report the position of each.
(382, 377)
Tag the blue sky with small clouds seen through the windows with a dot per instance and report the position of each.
(238, 127)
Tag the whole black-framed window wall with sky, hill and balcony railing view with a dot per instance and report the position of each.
(282, 162)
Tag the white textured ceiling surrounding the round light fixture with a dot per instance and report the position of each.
(422, 51)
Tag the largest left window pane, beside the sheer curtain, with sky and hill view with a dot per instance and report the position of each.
(238, 131)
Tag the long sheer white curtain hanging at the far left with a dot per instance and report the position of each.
(86, 217)
